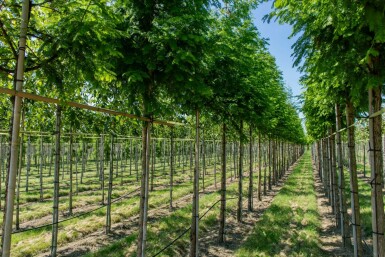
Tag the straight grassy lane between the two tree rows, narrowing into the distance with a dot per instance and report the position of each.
(290, 226)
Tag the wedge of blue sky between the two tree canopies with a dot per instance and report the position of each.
(279, 45)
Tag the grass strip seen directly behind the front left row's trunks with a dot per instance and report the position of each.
(165, 229)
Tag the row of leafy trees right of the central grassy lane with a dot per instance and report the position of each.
(341, 49)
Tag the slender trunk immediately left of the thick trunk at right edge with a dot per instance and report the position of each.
(356, 219)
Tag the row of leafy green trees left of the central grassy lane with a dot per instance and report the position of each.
(156, 59)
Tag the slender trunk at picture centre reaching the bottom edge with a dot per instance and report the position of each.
(194, 239)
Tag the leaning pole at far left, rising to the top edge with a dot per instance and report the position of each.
(14, 150)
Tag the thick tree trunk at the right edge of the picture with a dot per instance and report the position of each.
(376, 167)
